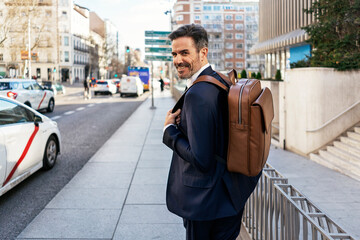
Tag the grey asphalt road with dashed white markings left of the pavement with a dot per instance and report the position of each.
(85, 125)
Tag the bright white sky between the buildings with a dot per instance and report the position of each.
(132, 17)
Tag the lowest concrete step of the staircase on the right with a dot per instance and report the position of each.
(340, 164)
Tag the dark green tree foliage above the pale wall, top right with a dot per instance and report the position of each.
(335, 35)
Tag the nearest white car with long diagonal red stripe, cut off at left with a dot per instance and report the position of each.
(28, 141)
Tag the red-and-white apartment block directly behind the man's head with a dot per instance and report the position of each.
(232, 28)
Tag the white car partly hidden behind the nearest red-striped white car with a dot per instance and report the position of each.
(29, 92)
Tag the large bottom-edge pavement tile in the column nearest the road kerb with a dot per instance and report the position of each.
(73, 223)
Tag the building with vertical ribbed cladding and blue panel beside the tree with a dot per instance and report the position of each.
(281, 38)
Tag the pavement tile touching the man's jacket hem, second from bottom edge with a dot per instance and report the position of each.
(153, 214)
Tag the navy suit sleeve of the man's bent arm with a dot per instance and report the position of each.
(198, 148)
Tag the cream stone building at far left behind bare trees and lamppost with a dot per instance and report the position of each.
(23, 24)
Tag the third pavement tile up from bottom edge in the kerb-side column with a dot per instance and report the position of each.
(115, 180)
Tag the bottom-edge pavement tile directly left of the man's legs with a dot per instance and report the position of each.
(150, 231)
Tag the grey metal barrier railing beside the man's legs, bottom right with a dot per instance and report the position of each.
(277, 210)
